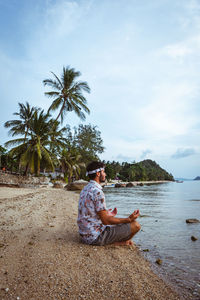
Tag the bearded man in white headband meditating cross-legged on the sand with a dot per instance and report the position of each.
(97, 225)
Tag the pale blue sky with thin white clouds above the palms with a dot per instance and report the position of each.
(141, 60)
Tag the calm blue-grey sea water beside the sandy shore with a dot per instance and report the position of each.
(165, 234)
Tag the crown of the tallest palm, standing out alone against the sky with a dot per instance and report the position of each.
(67, 93)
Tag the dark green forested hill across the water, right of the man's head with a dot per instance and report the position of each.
(145, 170)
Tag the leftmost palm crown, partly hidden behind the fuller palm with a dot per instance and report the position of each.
(21, 126)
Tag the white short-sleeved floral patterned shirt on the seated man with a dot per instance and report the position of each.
(91, 201)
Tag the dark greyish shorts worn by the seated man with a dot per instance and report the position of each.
(112, 234)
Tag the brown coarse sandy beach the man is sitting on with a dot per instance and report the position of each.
(41, 256)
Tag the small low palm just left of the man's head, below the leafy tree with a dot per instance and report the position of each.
(71, 164)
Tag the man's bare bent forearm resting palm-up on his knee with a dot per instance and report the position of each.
(110, 220)
